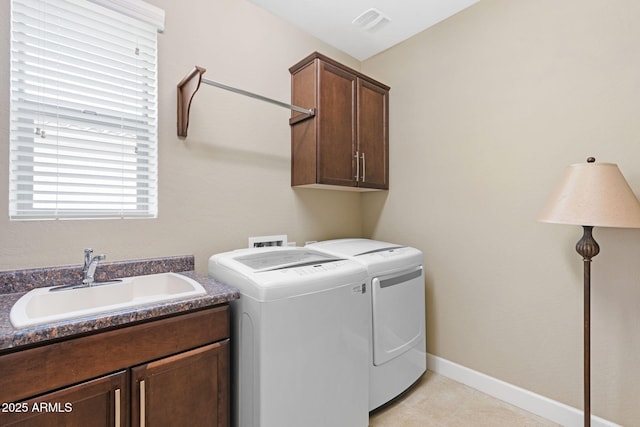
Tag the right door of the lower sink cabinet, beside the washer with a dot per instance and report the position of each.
(190, 388)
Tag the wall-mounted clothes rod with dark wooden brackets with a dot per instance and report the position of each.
(190, 84)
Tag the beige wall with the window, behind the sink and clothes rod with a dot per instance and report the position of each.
(230, 178)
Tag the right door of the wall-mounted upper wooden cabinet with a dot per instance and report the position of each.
(373, 135)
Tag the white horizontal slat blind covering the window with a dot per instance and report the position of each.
(83, 112)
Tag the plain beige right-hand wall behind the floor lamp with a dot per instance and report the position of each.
(487, 108)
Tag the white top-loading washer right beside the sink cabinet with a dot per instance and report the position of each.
(300, 337)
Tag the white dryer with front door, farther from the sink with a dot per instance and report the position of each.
(398, 343)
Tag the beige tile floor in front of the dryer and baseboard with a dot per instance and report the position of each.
(440, 402)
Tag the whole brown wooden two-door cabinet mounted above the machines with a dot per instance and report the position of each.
(345, 145)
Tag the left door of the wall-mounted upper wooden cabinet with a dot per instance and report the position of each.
(337, 130)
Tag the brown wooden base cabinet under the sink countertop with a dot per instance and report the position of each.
(170, 372)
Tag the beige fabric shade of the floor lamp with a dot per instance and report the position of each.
(592, 194)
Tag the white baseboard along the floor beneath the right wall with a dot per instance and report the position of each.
(550, 409)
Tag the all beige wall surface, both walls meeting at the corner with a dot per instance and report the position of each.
(487, 108)
